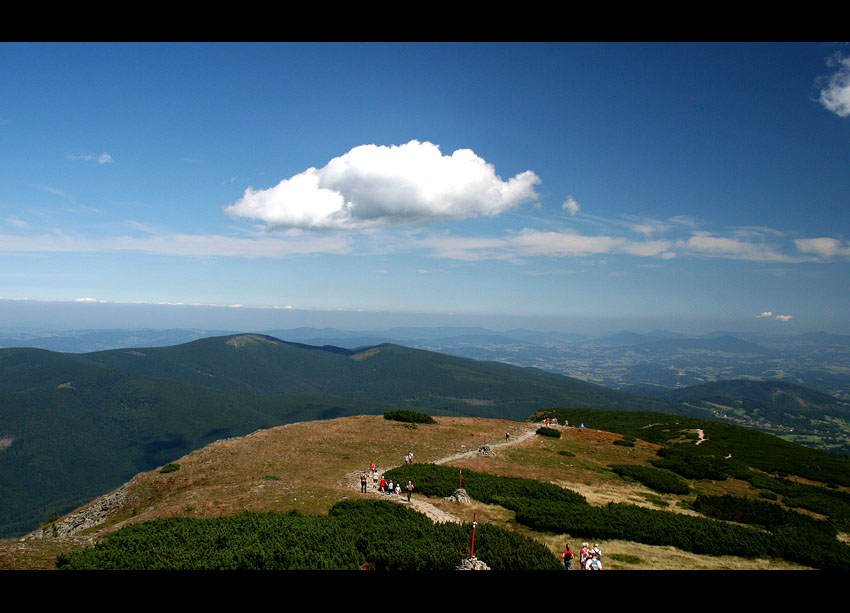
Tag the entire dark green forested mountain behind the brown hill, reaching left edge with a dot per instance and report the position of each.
(75, 426)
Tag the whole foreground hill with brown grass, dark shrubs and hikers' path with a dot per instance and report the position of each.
(745, 512)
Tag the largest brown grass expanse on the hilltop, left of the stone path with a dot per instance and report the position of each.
(306, 466)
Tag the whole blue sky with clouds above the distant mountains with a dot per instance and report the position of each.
(683, 186)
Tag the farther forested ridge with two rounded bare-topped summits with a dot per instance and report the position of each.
(258, 364)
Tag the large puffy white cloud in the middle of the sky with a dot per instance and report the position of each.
(373, 186)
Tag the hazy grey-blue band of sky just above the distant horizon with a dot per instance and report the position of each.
(28, 315)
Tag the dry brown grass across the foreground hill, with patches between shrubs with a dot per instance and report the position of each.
(310, 466)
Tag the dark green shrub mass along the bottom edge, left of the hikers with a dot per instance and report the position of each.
(355, 534)
